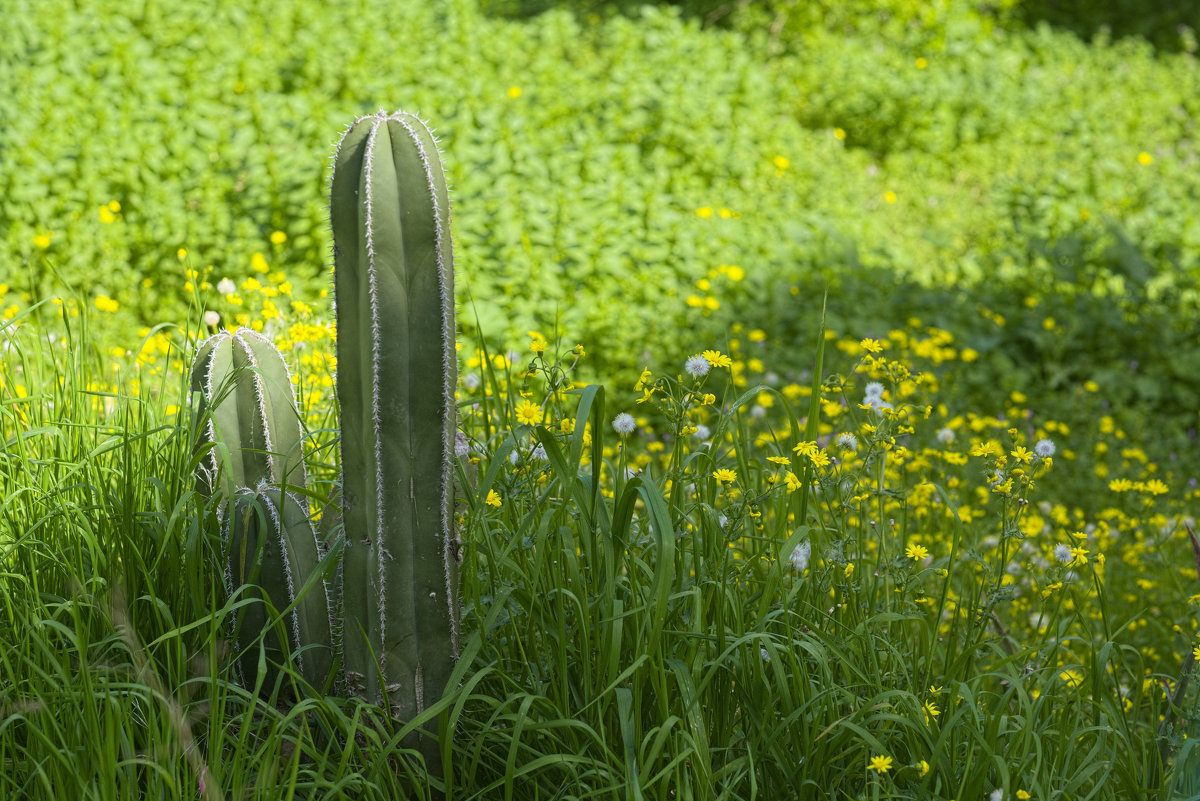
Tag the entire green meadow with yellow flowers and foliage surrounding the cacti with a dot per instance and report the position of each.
(827, 376)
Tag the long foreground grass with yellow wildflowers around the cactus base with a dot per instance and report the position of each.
(640, 623)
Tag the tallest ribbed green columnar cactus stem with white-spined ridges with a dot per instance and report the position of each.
(397, 371)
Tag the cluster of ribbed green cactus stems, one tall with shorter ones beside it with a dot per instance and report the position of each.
(397, 372)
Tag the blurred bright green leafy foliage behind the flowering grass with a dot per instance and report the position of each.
(1000, 171)
